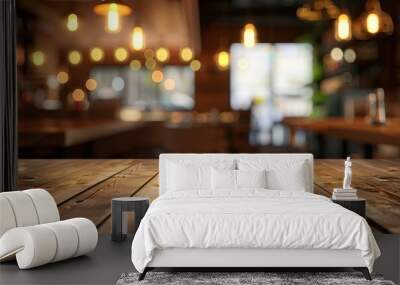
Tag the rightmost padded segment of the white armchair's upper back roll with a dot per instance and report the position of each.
(46, 207)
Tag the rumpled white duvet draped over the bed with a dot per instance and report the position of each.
(250, 219)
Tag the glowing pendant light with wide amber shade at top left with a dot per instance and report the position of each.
(113, 11)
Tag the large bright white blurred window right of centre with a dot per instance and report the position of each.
(275, 74)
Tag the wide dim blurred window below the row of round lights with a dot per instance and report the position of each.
(136, 88)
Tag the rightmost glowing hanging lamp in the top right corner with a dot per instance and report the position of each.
(373, 21)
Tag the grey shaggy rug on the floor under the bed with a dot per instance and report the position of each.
(273, 278)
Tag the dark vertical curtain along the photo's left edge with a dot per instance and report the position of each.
(8, 97)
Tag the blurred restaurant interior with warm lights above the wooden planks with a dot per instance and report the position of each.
(136, 78)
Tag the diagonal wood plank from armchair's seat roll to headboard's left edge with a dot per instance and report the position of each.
(95, 203)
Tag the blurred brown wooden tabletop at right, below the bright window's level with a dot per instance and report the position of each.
(354, 130)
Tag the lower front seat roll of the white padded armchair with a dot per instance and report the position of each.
(41, 244)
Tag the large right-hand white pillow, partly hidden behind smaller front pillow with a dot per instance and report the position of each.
(286, 174)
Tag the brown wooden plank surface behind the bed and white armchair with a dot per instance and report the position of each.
(84, 188)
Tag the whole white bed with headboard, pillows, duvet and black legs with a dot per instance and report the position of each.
(249, 226)
